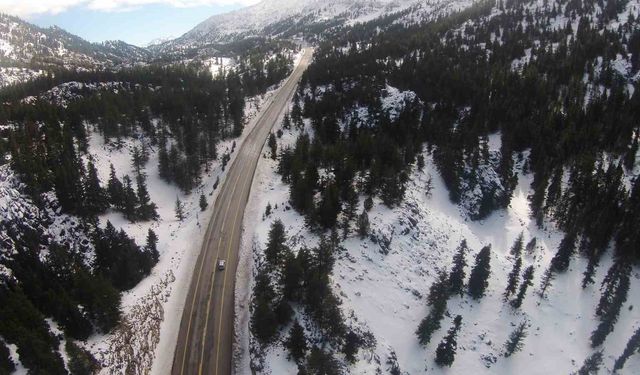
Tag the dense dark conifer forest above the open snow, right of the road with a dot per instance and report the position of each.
(556, 80)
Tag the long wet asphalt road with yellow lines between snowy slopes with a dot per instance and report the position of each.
(205, 338)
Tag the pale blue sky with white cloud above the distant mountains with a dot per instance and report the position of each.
(136, 22)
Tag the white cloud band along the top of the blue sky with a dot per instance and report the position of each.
(26, 8)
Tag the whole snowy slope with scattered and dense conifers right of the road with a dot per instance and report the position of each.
(499, 97)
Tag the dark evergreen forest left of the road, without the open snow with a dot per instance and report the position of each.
(62, 266)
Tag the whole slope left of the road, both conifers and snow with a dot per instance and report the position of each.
(85, 249)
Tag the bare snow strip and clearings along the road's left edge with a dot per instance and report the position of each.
(152, 310)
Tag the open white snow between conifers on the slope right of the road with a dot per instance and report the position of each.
(386, 292)
